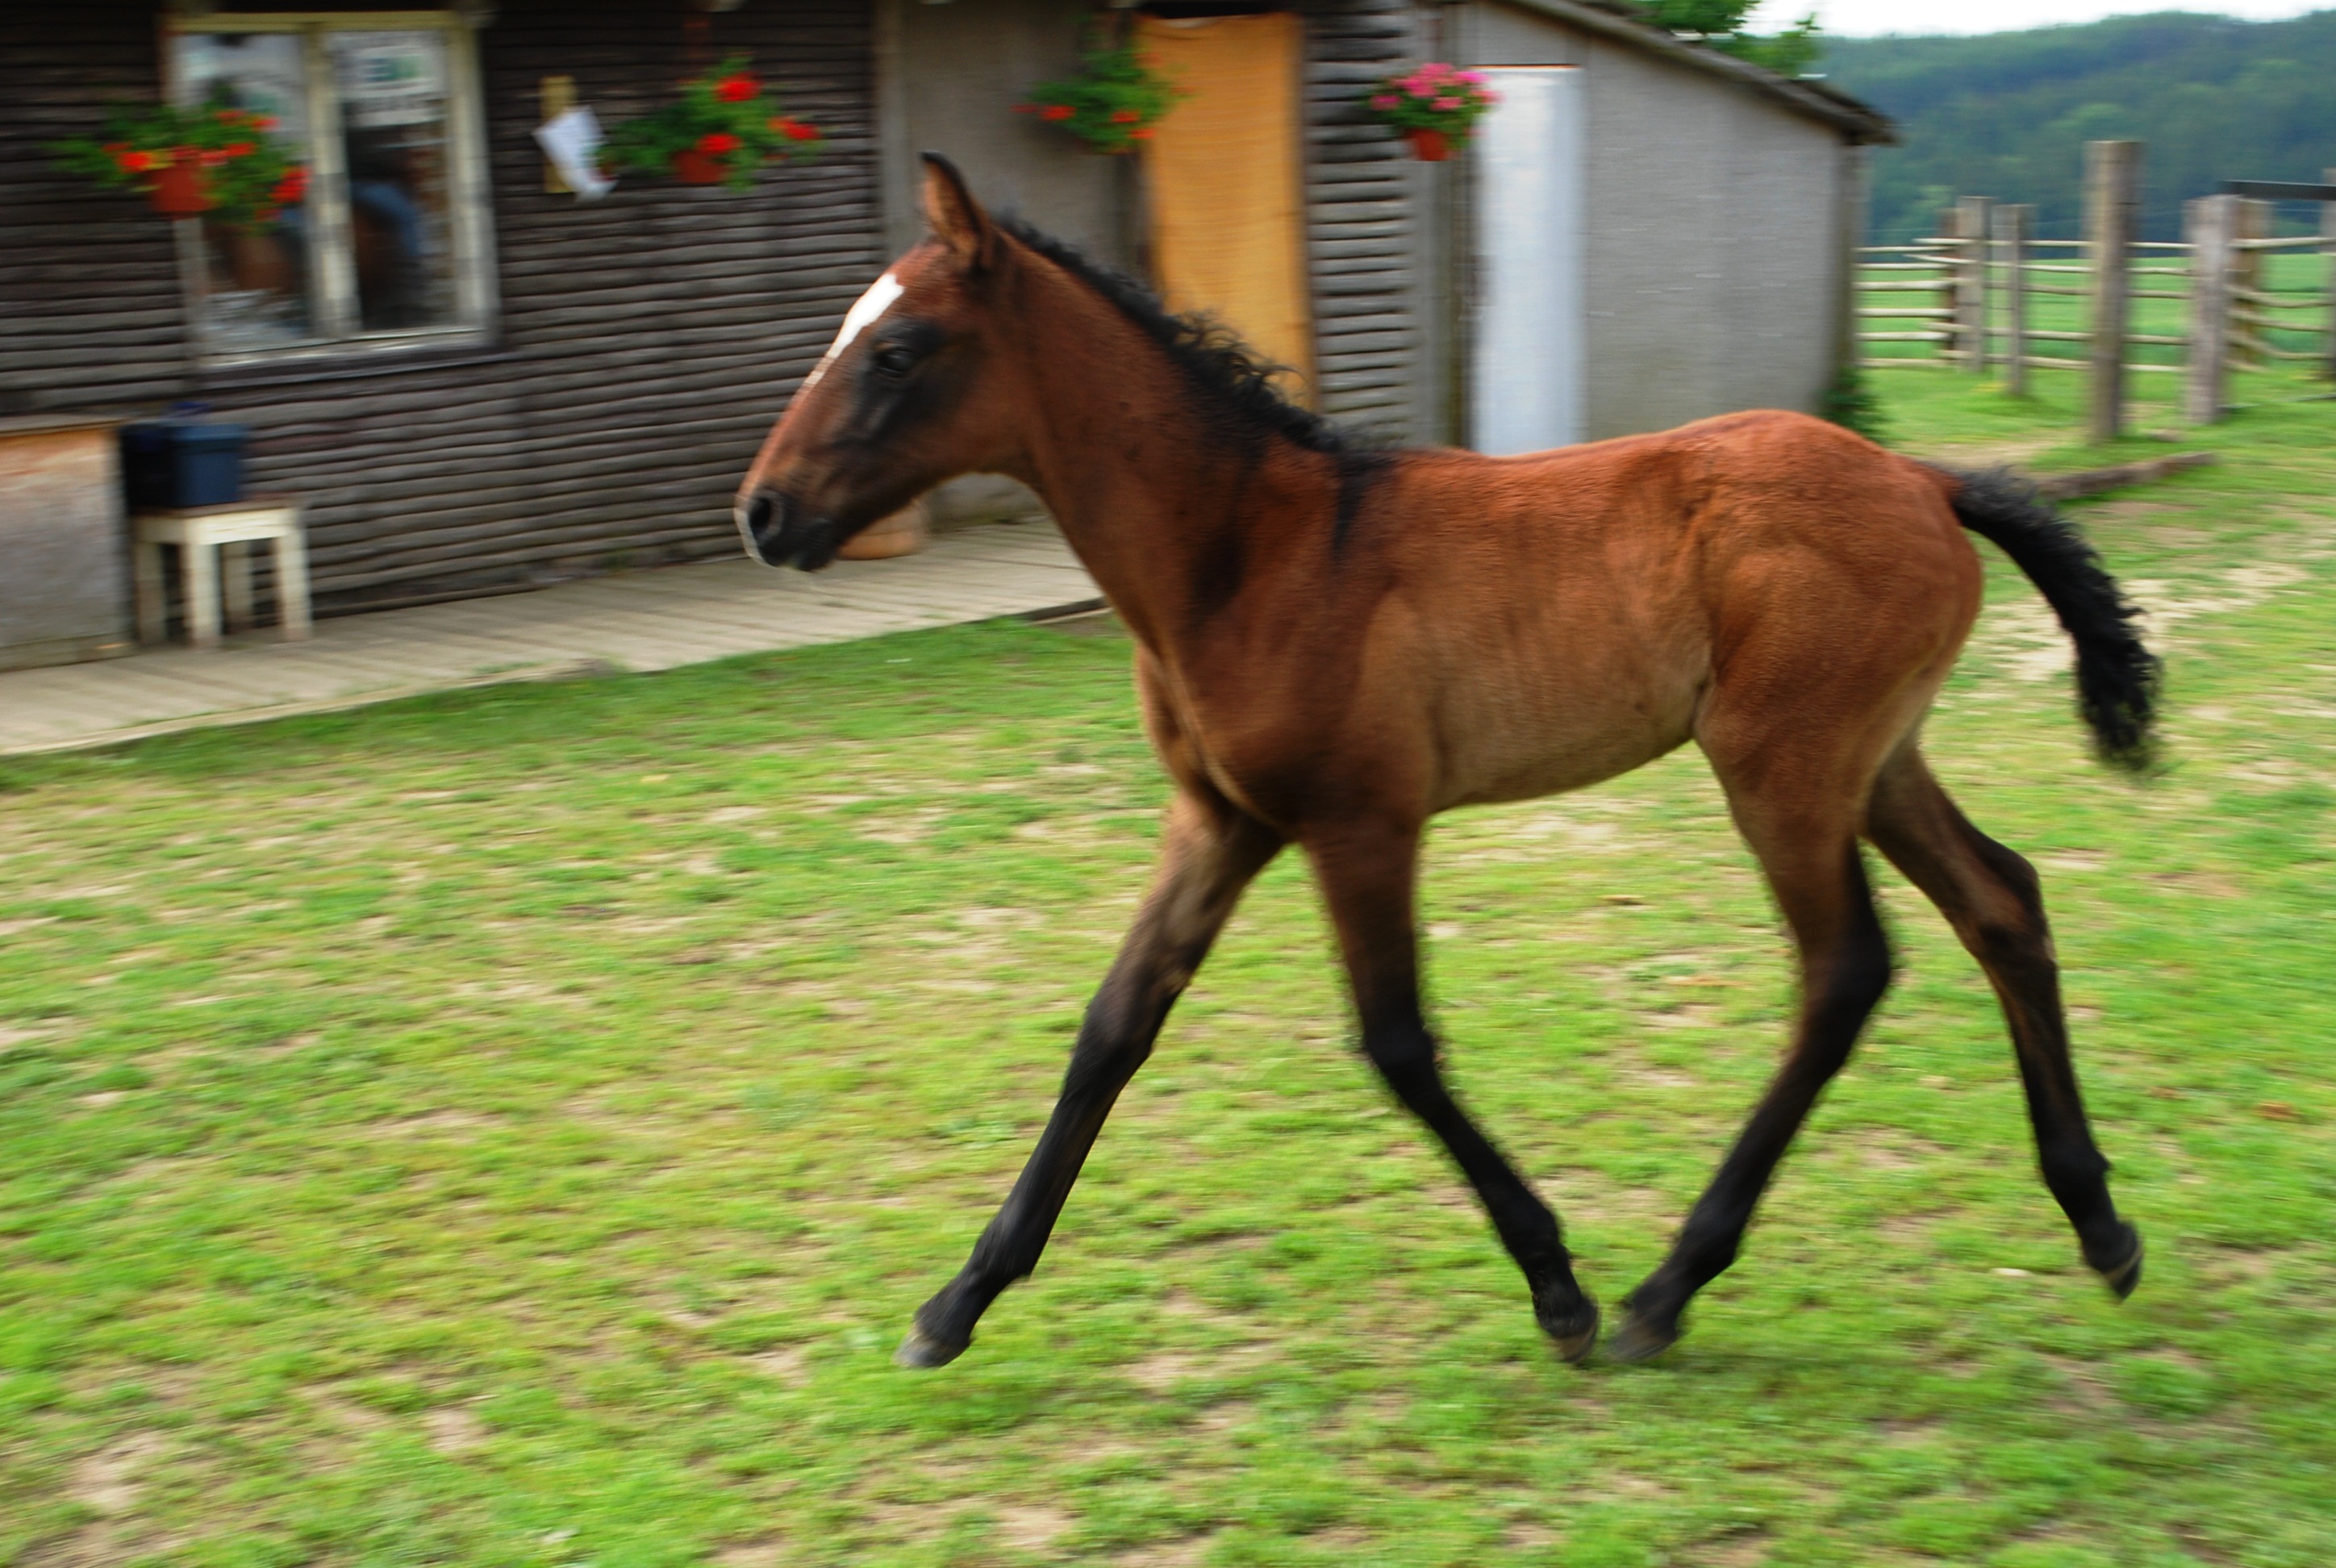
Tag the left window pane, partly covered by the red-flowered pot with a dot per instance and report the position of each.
(256, 284)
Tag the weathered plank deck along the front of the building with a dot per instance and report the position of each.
(637, 620)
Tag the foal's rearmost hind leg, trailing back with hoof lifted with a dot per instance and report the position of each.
(1996, 906)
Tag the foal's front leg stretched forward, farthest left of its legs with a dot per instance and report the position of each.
(1209, 856)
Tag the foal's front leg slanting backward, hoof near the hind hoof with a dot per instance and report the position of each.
(1368, 880)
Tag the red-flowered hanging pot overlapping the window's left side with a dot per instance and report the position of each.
(214, 160)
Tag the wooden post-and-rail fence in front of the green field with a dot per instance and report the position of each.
(1987, 296)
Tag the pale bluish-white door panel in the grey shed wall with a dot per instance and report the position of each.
(1527, 366)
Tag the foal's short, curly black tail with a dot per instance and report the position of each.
(2118, 679)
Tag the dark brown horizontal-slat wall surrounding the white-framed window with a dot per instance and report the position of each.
(644, 342)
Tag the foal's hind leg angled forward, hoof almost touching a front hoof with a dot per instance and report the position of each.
(1809, 852)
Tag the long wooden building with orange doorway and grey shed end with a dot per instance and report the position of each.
(478, 382)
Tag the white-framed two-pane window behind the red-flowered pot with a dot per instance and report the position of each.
(391, 244)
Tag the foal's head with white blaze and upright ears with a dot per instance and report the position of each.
(919, 387)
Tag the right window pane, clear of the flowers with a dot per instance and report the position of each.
(394, 137)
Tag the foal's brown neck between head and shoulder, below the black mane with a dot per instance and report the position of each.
(1174, 506)
